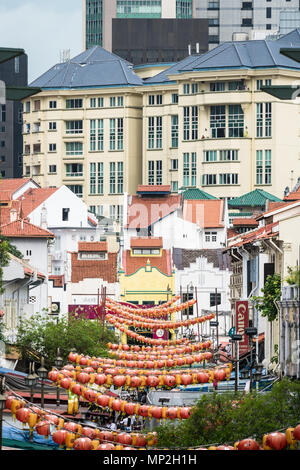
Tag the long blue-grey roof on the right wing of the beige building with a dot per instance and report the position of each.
(237, 54)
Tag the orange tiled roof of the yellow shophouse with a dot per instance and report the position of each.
(163, 263)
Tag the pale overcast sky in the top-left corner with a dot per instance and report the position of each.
(42, 28)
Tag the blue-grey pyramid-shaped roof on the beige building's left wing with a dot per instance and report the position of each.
(95, 67)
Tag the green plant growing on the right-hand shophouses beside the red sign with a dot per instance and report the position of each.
(265, 304)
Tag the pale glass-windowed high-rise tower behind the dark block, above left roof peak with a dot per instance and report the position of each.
(98, 15)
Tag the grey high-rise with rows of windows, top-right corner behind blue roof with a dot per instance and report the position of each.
(238, 16)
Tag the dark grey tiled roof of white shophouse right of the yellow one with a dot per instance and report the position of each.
(183, 258)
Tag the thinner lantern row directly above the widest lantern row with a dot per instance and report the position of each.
(141, 361)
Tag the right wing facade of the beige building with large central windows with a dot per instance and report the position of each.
(217, 130)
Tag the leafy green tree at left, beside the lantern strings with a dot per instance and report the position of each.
(43, 335)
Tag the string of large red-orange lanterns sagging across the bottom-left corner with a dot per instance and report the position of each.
(70, 435)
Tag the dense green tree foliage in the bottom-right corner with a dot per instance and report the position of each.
(227, 418)
